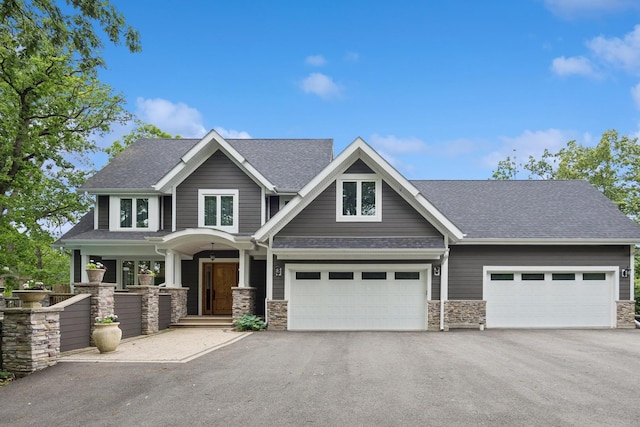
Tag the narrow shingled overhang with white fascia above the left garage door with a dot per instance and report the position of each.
(370, 248)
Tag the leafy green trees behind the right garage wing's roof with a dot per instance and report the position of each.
(612, 166)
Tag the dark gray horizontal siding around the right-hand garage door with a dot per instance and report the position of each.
(466, 263)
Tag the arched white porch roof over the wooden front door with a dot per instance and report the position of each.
(193, 240)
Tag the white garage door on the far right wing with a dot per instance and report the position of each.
(543, 299)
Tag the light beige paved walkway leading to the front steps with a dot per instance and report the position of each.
(169, 346)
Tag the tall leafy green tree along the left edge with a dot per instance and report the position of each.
(52, 105)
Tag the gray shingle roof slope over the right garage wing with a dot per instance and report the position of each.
(529, 209)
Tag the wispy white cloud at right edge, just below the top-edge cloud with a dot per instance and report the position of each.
(623, 53)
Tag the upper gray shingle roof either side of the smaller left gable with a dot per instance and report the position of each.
(287, 163)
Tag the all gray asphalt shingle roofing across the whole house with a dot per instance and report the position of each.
(481, 209)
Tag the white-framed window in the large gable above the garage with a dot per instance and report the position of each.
(359, 198)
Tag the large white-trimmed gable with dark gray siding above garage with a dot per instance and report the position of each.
(315, 211)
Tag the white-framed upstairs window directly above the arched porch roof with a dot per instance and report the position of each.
(218, 209)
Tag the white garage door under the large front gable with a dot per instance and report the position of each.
(357, 299)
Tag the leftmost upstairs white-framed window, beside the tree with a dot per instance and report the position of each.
(135, 213)
